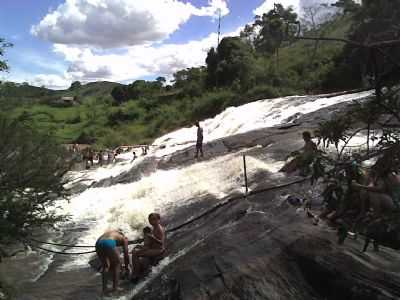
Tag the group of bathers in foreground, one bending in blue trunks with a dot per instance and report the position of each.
(142, 257)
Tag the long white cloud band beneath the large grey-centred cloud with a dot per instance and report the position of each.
(136, 61)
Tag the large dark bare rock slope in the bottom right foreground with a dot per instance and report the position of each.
(260, 248)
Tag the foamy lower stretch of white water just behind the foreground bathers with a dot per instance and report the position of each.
(126, 206)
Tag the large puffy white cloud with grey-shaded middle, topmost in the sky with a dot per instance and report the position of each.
(119, 23)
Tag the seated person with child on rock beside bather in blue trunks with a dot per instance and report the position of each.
(143, 257)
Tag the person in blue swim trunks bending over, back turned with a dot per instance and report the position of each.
(107, 251)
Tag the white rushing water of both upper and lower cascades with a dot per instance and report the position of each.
(127, 205)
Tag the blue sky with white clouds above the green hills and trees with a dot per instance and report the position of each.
(57, 42)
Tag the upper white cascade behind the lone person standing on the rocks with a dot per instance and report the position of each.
(251, 116)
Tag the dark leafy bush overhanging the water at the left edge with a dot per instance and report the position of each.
(32, 169)
